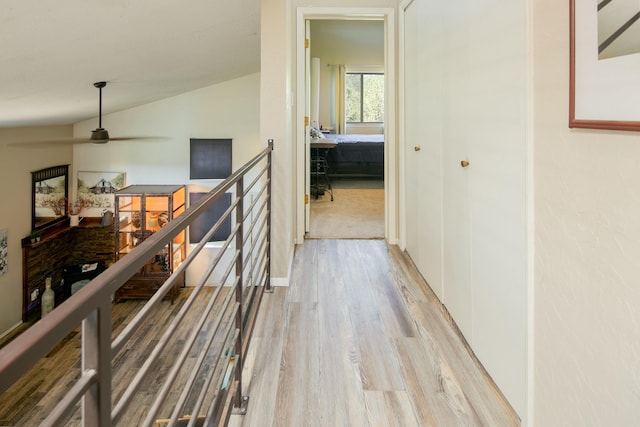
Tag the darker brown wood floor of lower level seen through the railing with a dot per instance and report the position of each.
(32, 398)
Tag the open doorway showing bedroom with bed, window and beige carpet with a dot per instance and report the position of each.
(346, 93)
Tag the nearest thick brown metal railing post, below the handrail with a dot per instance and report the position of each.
(96, 355)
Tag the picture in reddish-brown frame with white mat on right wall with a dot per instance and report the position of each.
(604, 65)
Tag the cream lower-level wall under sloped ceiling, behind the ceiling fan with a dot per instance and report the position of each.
(225, 110)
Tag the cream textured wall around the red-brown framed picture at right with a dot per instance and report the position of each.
(587, 251)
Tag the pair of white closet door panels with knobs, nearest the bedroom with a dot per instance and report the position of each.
(437, 140)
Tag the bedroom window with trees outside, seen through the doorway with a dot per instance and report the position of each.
(364, 97)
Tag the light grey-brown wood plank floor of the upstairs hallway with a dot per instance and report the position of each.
(357, 339)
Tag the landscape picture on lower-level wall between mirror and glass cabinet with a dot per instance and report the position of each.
(96, 190)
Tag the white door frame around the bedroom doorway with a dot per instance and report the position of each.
(301, 145)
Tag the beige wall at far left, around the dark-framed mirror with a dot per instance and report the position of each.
(16, 165)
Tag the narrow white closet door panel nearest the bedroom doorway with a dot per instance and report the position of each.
(423, 147)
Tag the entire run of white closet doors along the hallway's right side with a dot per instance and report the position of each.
(459, 110)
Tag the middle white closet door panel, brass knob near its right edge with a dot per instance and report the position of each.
(456, 75)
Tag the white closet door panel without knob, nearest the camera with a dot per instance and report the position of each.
(498, 202)
